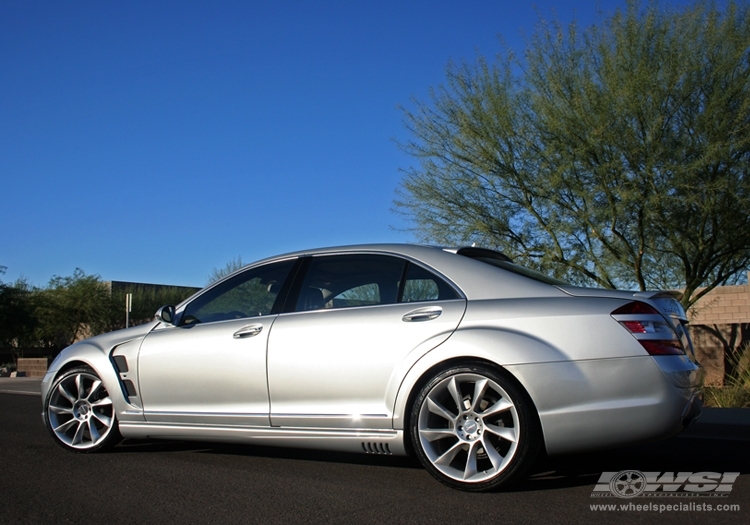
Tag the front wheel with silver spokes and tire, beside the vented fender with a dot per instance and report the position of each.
(79, 413)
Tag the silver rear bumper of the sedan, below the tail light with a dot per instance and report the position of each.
(594, 404)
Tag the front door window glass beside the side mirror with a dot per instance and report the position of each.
(249, 294)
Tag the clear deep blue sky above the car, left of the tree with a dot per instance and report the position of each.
(153, 141)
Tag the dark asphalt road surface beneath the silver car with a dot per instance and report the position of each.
(171, 482)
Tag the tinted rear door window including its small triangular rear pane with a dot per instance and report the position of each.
(343, 281)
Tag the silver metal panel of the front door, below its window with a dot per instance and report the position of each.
(205, 374)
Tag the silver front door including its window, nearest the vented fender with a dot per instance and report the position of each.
(210, 369)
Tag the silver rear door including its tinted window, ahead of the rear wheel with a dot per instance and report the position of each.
(360, 322)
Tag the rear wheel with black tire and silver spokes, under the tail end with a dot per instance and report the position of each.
(474, 428)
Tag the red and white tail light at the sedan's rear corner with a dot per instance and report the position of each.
(650, 328)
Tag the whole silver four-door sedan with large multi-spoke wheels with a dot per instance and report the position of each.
(459, 356)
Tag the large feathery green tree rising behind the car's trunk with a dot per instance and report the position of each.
(616, 155)
